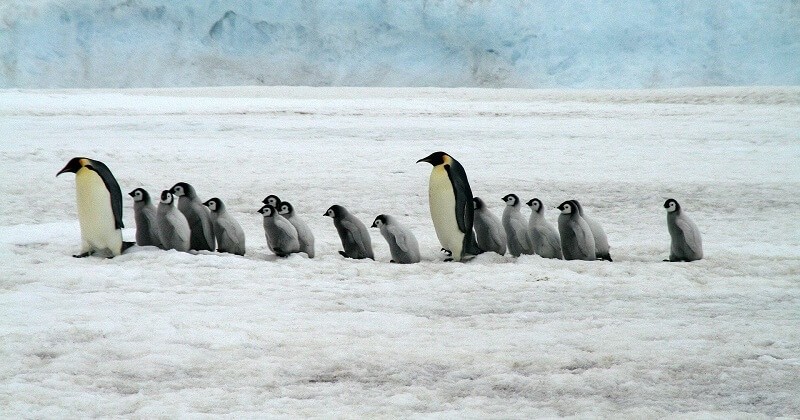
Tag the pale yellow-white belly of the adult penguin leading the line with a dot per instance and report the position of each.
(95, 215)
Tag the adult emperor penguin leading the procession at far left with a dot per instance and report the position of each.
(99, 201)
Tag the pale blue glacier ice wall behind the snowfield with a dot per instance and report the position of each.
(491, 43)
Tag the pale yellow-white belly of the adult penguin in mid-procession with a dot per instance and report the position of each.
(442, 201)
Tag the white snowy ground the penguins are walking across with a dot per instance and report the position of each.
(162, 333)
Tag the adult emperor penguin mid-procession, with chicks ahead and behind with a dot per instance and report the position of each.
(450, 200)
